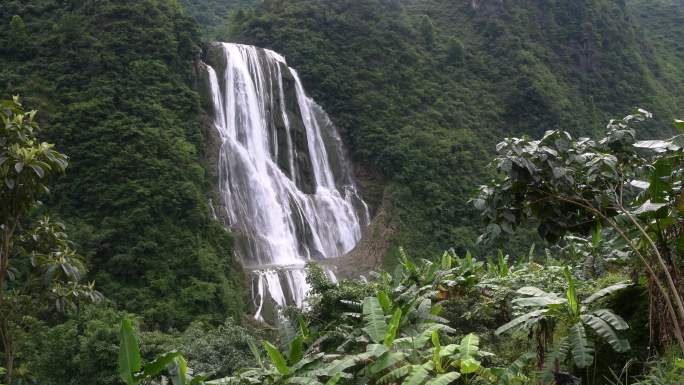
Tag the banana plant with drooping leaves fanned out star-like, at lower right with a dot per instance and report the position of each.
(544, 311)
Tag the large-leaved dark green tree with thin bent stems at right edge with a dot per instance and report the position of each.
(632, 188)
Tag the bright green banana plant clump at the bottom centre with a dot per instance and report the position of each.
(403, 346)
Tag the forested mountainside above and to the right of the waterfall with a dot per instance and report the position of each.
(420, 88)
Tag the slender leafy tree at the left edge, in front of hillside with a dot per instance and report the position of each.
(39, 270)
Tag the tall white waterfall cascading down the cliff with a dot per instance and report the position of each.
(286, 186)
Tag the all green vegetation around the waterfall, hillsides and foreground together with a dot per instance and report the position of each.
(422, 90)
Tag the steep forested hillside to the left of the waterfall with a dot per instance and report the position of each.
(115, 83)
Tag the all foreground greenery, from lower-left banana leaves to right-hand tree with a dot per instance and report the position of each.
(459, 320)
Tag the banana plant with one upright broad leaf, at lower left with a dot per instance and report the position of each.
(132, 372)
